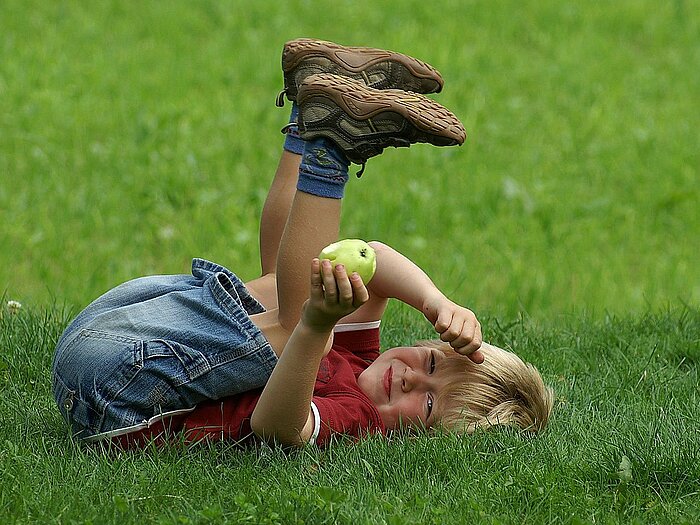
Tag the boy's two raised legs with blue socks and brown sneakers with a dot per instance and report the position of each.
(341, 122)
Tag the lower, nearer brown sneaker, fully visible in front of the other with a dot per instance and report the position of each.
(363, 121)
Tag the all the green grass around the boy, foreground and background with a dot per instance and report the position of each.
(136, 135)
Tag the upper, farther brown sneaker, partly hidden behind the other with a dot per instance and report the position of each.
(377, 68)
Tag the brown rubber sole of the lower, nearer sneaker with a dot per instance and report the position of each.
(441, 126)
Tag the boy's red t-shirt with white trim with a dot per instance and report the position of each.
(338, 404)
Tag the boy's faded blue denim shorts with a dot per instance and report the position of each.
(158, 344)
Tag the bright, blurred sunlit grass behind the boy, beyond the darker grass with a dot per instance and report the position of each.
(133, 137)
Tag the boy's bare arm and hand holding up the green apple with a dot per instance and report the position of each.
(283, 412)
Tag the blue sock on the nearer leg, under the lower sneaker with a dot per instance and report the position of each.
(323, 170)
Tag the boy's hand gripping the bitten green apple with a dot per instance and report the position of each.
(333, 295)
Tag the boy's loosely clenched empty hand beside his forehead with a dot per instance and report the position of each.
(456, 325)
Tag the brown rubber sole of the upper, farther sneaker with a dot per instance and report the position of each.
(356, 60)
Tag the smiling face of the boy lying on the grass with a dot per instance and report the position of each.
(404, 383)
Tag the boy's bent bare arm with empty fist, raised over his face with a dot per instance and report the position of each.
(400, 278)
